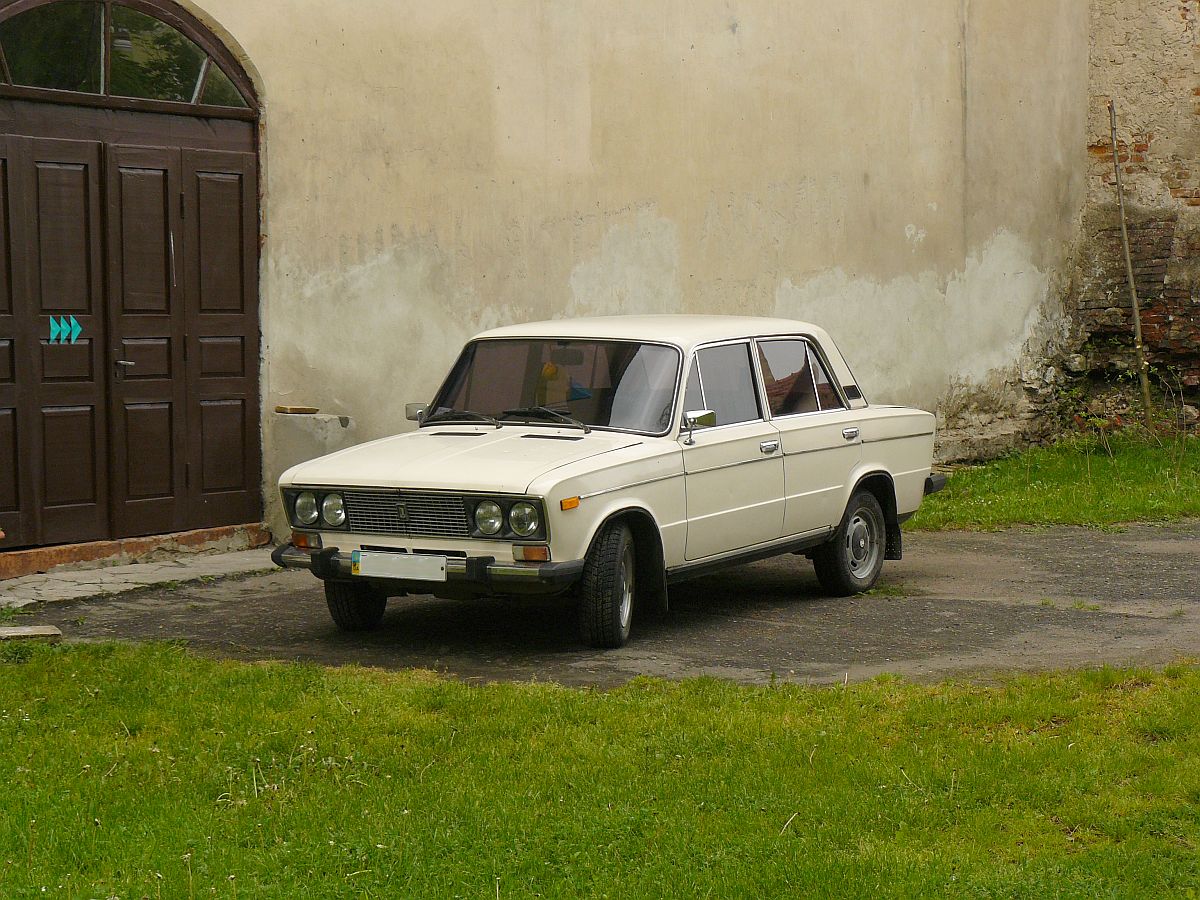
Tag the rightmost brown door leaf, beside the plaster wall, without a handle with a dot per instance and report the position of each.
(221, 285)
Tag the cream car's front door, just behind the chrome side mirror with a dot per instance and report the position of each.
(734, 471)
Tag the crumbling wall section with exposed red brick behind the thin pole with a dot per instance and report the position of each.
(1145, 57)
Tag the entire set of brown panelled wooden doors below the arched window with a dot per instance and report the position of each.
(154, 251)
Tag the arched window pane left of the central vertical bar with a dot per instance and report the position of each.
(57, 46)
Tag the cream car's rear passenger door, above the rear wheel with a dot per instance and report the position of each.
(819, 435)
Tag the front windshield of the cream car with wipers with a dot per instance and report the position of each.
(604, 385)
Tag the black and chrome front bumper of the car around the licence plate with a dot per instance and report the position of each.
(475, 574)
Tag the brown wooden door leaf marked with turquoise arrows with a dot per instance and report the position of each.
(55, 243)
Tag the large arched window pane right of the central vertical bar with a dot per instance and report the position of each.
(152, 59)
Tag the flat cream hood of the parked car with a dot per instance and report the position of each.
(475, 459)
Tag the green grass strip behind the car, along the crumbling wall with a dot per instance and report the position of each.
(1077, 482)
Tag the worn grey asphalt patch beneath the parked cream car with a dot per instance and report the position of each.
(959, 604)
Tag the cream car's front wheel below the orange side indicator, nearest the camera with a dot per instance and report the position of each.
(608, 590)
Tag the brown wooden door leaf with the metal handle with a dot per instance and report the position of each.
(148, 416)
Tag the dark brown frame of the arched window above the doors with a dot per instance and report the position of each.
(171, 15)
